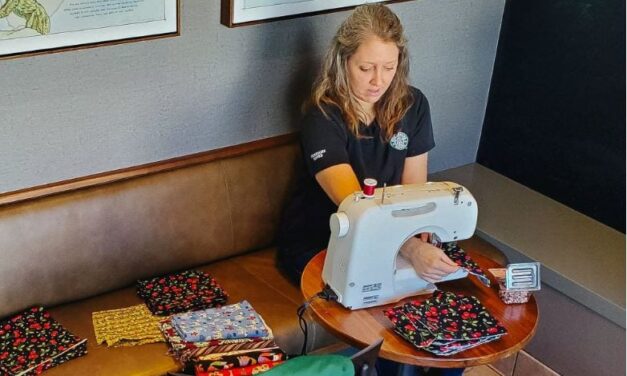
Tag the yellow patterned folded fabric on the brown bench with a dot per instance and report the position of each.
(127, 326)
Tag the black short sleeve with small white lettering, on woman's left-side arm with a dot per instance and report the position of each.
(324, 141)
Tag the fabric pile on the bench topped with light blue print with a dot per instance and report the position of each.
(230, 340)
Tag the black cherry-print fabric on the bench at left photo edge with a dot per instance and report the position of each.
(32, 342)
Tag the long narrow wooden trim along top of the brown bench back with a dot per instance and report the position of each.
(142, 170)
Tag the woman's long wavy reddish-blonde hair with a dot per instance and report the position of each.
(332, 85)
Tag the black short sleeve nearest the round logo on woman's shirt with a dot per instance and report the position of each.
(419, 127)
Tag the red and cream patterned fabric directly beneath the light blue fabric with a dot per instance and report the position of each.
(188, 351)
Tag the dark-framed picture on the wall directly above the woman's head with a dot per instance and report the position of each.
(245, 12)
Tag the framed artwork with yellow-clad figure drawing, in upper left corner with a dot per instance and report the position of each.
(39, 26)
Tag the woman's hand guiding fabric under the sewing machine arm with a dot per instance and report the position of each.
(430, 263)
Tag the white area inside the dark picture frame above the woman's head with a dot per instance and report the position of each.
(255, 10)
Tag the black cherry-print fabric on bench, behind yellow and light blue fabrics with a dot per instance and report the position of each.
(181, 292)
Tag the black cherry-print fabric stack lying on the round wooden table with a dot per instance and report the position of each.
(445, 323)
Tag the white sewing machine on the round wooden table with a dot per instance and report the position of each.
(363, 266)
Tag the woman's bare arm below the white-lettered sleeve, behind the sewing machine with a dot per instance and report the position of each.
(338, 182)
